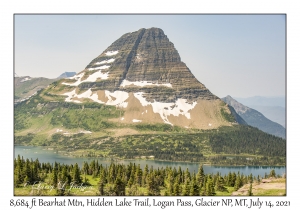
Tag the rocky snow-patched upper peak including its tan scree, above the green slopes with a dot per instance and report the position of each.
(142, 74)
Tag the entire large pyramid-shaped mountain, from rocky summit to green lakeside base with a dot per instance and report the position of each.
(138, 99)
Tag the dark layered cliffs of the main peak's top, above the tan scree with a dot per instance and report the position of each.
(147, 55)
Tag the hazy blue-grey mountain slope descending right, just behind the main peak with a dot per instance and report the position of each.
(255, 118)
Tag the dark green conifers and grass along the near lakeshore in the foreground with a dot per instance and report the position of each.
(34, 178)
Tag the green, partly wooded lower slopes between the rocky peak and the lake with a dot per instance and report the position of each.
(89, 130)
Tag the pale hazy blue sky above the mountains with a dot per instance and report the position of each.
(237, 55)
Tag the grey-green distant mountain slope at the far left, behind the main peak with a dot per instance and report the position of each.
(25, 87)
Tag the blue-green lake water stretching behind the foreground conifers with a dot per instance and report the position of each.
(51, 156)
